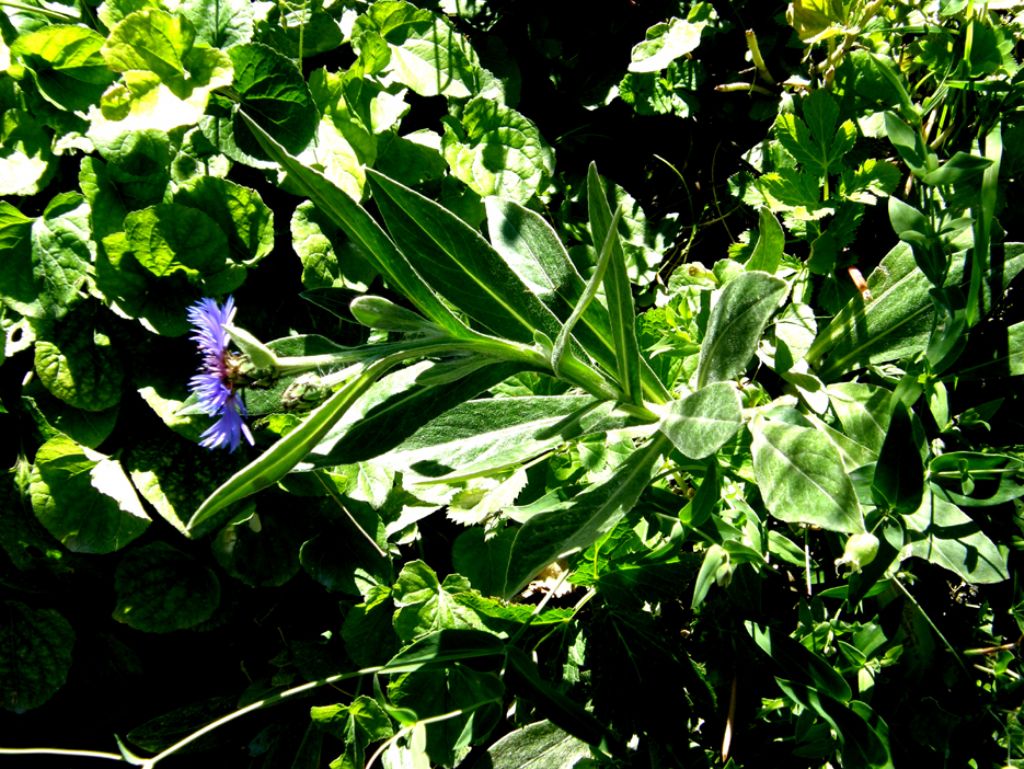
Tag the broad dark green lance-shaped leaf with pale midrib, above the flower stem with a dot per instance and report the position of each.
(461, 266)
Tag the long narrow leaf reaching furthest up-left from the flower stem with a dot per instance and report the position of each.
(362, 228)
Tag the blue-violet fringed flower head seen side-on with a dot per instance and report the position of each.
(216, 384)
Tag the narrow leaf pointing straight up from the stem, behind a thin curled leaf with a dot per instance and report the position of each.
(622, 312)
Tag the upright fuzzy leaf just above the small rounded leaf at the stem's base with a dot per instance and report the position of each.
(738, 320)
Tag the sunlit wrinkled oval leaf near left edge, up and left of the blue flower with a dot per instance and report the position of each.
(61, 252)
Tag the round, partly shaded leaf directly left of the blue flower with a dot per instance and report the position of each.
(77, 363)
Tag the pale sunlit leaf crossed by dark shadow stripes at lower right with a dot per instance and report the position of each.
(943, 534)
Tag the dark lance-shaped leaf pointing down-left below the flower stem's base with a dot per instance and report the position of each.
(578, 524)
